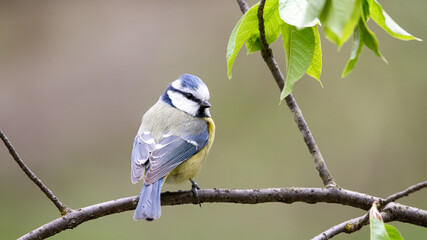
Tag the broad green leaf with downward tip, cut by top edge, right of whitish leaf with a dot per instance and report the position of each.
(339, 18)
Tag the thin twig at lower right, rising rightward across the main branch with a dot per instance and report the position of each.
(356, 224)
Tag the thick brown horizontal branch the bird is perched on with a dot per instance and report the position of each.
(72, 219)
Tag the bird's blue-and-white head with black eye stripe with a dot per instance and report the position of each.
(189, 94)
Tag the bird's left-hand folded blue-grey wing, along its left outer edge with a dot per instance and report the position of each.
(142, 148)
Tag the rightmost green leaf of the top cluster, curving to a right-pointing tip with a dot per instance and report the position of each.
(387, 23)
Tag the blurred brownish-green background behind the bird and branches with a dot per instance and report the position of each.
(76, 77)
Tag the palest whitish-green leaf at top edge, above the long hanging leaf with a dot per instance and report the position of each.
(293, 12)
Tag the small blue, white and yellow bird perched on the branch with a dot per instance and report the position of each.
(172, 143)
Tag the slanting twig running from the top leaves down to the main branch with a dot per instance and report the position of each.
(267, 55)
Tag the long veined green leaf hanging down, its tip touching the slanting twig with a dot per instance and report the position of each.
(299, 47)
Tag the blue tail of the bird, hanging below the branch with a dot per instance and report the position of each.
(149, 202)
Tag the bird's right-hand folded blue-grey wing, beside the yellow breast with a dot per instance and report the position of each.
(171, 151)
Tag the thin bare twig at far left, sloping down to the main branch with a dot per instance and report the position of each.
(61, 207)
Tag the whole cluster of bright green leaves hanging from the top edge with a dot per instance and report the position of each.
(298, 20)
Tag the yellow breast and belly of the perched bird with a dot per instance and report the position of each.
(192, 166)
